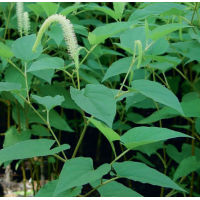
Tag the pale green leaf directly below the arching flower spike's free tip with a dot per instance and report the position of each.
(47, 63)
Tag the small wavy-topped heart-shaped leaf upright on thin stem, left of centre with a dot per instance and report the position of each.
(49, 102)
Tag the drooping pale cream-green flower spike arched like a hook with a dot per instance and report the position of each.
(68, 33)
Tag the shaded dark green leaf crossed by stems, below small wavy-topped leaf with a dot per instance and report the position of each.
(55, 120)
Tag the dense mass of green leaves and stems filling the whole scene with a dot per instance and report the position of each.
(140, 67)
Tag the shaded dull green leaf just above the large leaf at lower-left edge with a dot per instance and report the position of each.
(12, 136)
